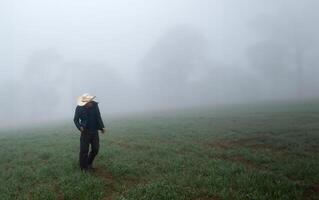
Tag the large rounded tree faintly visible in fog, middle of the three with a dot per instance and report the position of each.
(171, 64)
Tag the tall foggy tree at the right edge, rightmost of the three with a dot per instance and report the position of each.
(290, 39)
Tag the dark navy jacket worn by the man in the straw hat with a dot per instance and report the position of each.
(88, 117)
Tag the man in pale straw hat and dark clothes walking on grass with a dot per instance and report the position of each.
(88, 120)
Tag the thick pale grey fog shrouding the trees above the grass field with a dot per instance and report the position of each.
(146, 55)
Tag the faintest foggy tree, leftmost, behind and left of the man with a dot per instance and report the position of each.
(39, 85)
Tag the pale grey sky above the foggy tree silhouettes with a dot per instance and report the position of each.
(112, 30)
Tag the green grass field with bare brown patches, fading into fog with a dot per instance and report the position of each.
(236, 152)
